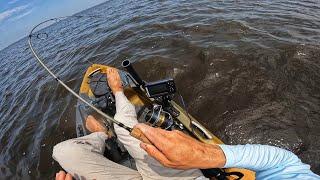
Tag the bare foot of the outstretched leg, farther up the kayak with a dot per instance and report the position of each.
(114, 80)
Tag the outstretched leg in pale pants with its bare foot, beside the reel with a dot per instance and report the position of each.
(148, 167)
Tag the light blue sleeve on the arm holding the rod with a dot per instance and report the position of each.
(267, 161)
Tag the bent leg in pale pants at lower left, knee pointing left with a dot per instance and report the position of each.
(83, 158)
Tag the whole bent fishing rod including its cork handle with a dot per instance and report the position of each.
(135, 132)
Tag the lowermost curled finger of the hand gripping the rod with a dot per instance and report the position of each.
(155, 153)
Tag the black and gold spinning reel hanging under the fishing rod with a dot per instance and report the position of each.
(157, 117)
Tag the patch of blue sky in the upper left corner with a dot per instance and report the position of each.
(17, 17)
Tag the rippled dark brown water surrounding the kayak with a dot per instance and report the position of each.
(250, 71)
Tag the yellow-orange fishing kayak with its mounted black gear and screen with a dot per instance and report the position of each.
(153, 106)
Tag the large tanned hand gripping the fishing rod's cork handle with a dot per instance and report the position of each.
(177, 150)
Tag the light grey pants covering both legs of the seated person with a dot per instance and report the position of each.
(83, 157)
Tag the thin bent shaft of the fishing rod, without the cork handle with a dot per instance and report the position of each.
(40, 36)
